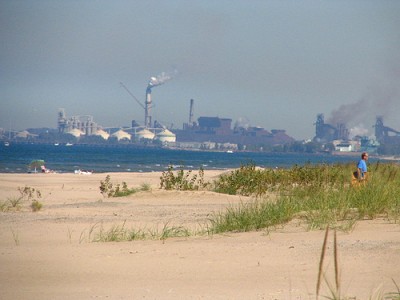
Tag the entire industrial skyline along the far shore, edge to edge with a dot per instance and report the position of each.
(206, 132)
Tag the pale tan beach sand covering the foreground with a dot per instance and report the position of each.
(50, 254)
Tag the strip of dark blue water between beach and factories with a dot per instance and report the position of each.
(16, 157)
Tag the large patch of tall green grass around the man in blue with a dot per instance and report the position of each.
(320, 194)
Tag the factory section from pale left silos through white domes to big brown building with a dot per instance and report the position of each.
(205, 133)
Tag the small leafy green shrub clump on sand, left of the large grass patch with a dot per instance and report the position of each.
(181, 180)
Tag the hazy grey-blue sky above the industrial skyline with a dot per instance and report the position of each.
(274, 64)
